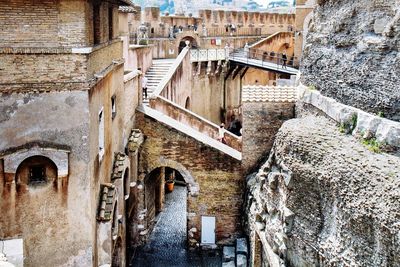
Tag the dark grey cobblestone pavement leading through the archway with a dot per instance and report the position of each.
(167, 246)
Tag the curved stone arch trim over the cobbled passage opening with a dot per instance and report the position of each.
(193, 186)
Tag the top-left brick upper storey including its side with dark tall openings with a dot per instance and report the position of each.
(55, 23)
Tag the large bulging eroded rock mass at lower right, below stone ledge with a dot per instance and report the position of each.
(323, 198)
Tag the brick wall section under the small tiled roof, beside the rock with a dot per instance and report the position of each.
(261, 122)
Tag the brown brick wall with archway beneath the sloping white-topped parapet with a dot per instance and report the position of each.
(217, 177)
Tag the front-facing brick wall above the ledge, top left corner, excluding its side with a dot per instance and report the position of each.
(49, 23)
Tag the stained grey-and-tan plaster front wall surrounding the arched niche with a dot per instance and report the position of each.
(46, 216)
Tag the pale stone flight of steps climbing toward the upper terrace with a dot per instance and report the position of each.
(155, 74)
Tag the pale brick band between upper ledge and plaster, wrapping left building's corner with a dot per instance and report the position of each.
(54, 69)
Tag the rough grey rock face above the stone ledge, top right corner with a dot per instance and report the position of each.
(352, 54)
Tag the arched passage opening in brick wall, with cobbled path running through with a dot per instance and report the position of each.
(169, 211)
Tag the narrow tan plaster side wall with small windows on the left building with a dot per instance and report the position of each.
(116, 134)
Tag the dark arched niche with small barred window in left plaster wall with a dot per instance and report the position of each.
(36, 170)
